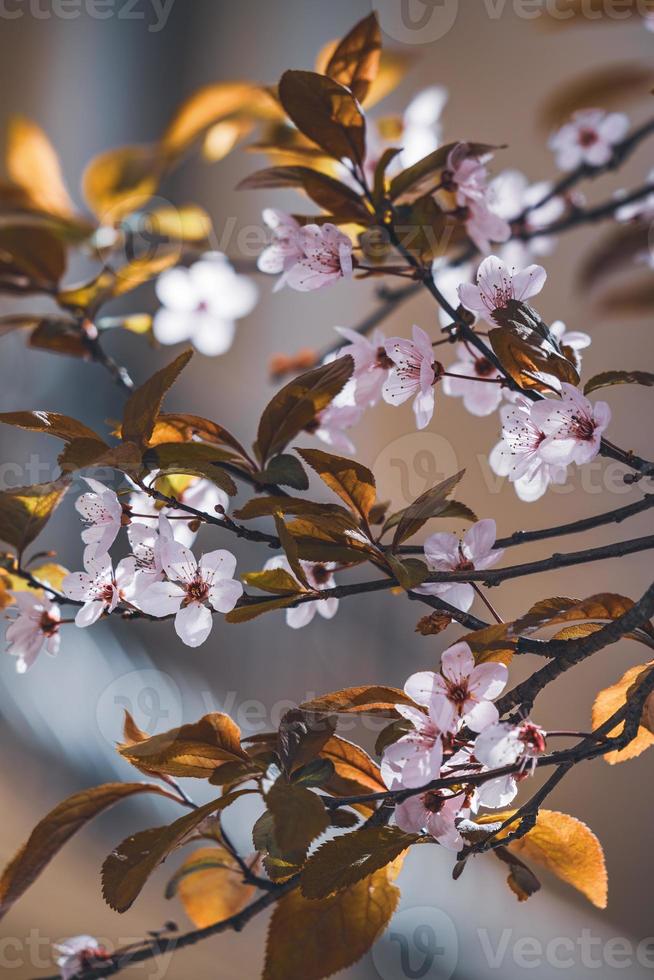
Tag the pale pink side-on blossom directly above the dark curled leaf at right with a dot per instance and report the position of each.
(497, 285)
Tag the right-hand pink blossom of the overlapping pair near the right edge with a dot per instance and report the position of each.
(573, 426)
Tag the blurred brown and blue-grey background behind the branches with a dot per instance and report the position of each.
(94, 83)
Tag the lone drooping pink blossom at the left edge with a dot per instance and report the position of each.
(35, 626)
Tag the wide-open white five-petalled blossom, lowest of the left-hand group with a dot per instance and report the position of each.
(192, 589)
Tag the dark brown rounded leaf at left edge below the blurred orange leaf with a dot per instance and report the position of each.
(32, 259)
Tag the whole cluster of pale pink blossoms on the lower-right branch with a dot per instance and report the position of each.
(454, 731)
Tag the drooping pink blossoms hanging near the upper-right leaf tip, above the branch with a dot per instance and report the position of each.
(466, 175)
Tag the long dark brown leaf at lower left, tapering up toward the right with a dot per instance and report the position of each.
(130, 864)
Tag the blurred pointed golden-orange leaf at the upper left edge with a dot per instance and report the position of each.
(32, 163)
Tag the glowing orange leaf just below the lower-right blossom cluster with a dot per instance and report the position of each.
(567, 848)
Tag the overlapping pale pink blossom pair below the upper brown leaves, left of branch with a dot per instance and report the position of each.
(308, 257)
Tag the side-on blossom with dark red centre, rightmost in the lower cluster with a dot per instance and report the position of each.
(504, 744)
